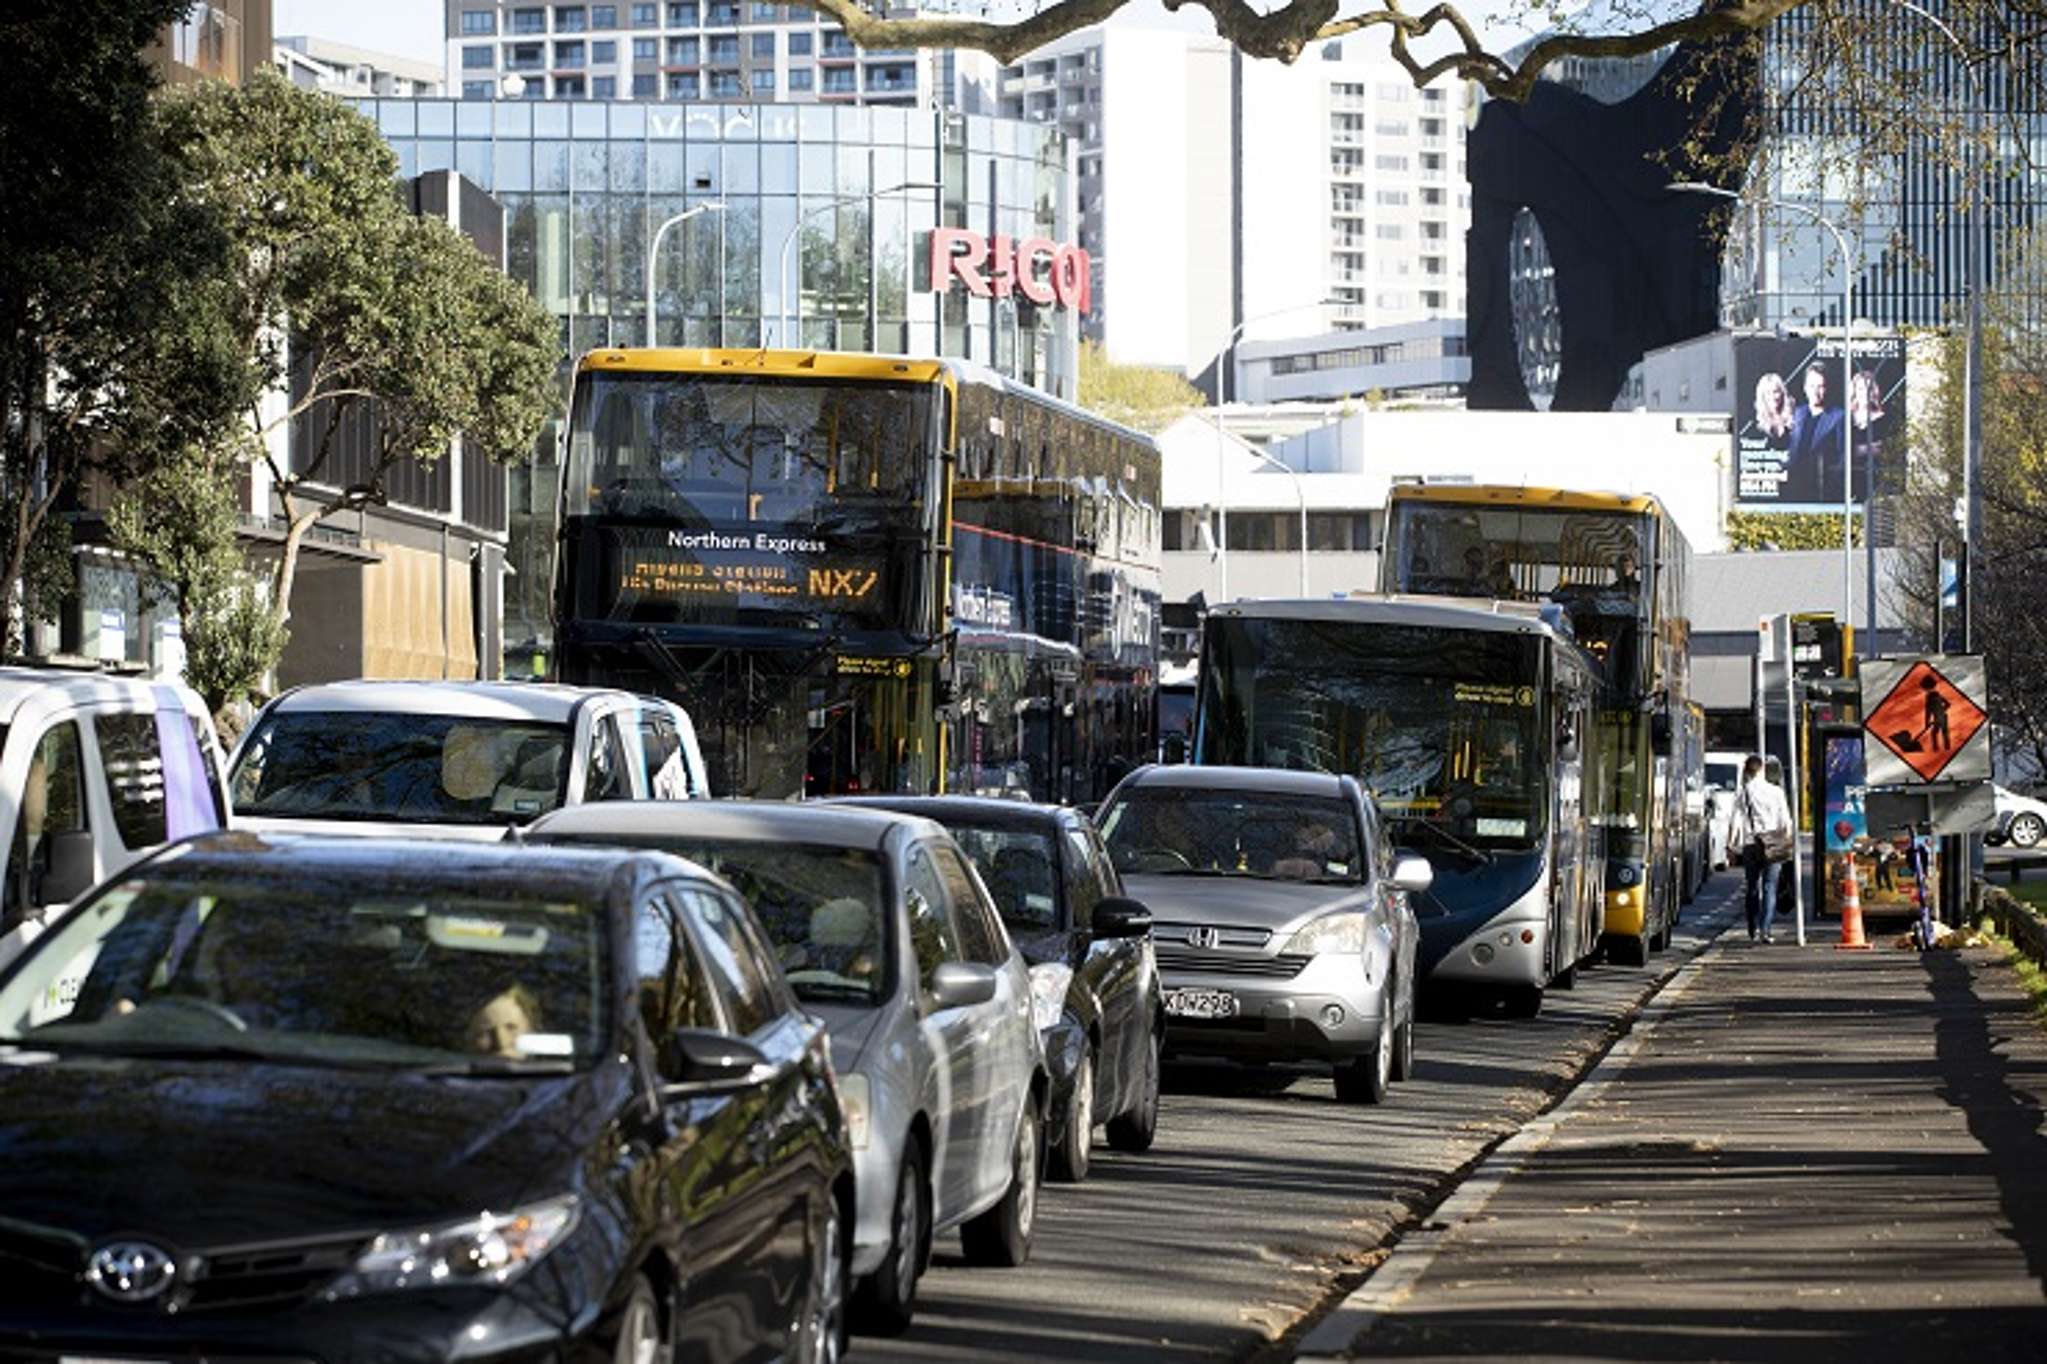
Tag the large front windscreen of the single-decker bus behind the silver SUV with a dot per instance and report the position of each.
(1446, 728)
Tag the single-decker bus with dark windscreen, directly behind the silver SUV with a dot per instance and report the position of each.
(1469, 724)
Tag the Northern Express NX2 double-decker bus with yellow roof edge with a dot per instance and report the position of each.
(863, 574)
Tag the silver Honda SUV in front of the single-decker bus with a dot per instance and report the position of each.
(1280, 919)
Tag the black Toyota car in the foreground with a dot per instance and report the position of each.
(406, 1101)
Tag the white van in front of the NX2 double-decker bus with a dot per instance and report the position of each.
(455, 759)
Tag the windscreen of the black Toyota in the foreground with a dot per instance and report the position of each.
(316, 972)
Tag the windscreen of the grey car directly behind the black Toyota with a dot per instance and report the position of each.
(822, 908)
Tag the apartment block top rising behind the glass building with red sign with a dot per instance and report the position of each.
(695, 50)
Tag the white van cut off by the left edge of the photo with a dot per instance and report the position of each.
(95, 773)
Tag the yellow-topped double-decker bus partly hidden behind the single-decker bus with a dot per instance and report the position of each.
(1622, 570)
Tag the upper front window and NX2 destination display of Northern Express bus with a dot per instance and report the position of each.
(748, 501)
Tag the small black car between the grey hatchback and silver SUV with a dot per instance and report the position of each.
(1094, 980)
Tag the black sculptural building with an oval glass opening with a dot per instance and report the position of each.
(1581, 259)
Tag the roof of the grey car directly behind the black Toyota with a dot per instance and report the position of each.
(785, 822)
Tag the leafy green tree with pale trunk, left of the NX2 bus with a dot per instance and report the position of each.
(394, 323)
